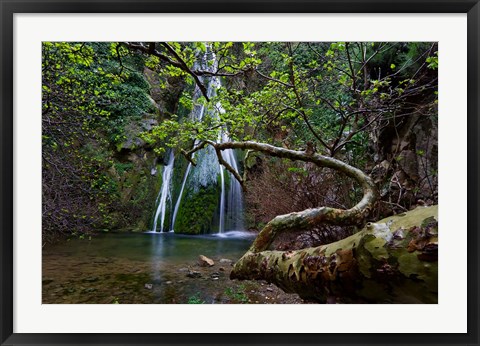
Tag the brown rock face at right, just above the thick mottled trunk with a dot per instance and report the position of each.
(407, 162)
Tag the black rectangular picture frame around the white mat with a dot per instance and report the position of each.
(9, 7)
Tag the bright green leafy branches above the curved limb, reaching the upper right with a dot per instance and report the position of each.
(357, 101)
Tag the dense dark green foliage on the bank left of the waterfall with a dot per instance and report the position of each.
(87, 98)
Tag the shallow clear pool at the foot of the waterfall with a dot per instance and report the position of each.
(141, 268)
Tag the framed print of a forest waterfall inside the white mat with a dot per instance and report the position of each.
(239, 173)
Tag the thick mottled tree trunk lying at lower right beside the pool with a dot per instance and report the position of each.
(392, 261)
